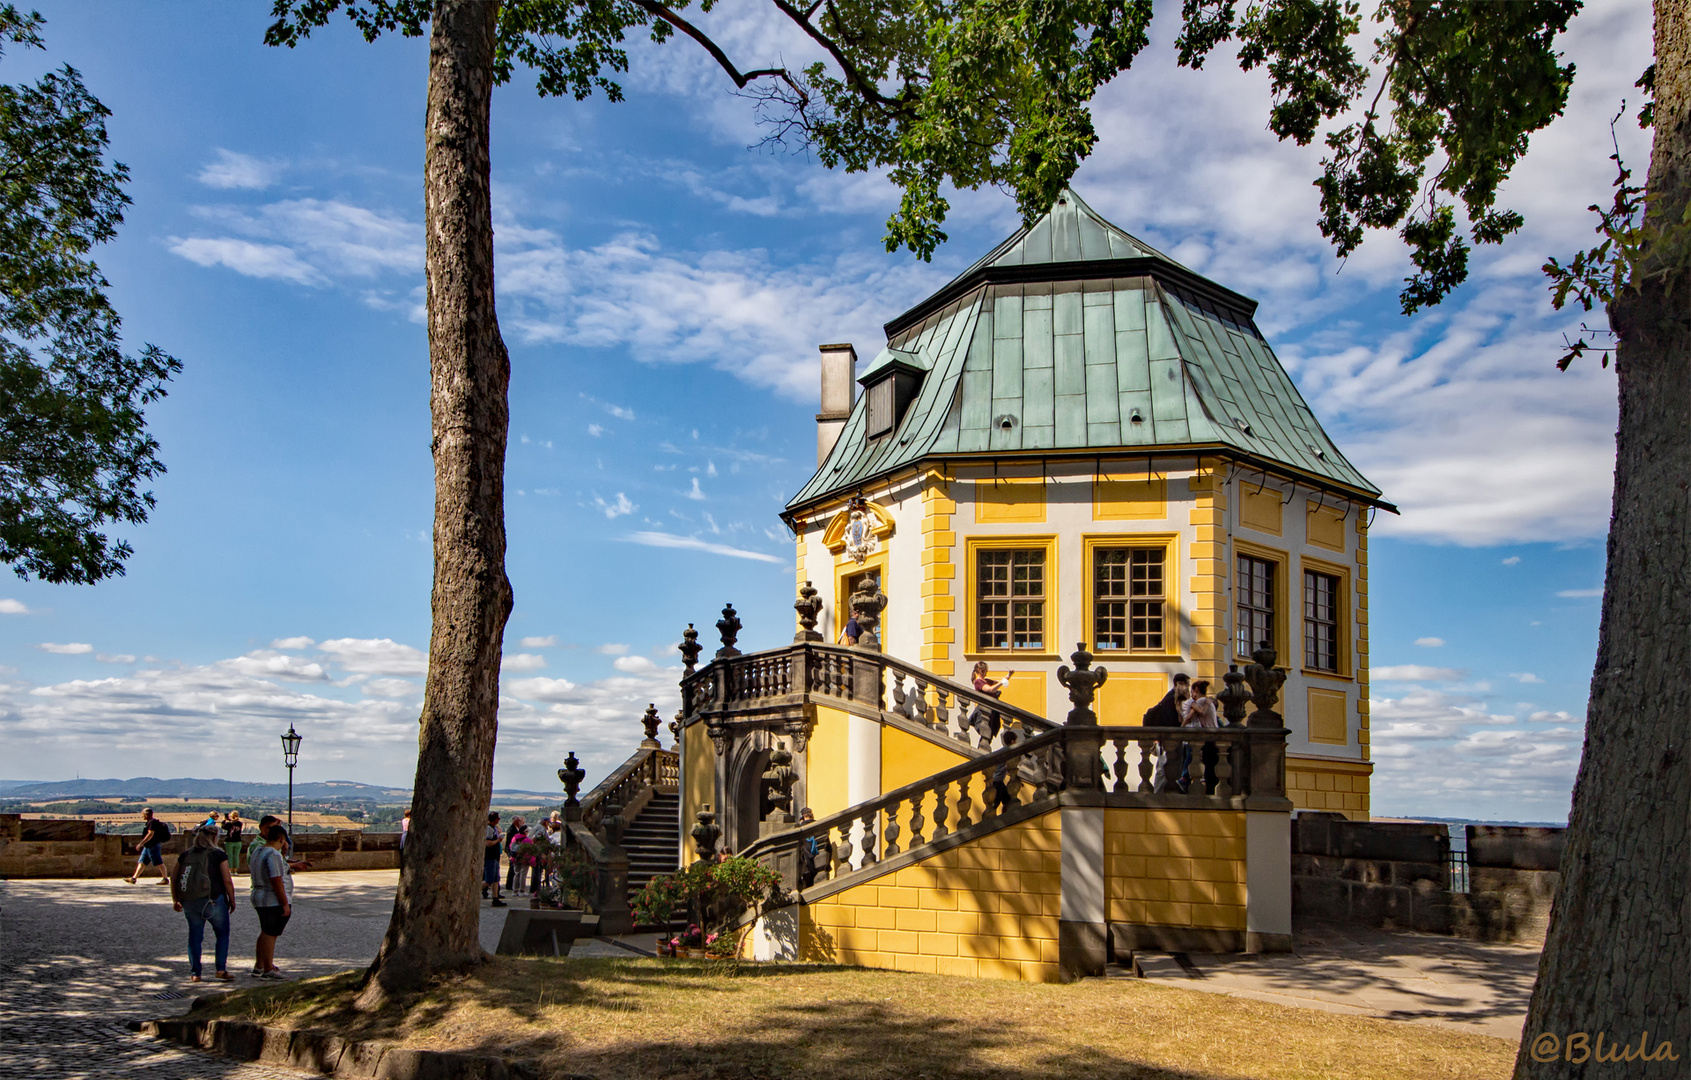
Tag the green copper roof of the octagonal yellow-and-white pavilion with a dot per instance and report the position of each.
(1076, 339)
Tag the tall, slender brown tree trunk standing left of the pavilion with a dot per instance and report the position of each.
(437, 912)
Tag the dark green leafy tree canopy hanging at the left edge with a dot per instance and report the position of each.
(74, 440)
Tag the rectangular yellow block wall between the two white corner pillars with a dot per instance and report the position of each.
(1176, 868)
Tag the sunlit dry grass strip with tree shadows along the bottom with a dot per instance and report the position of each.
(692, 1020)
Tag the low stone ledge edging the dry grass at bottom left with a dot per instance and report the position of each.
(331, 1055)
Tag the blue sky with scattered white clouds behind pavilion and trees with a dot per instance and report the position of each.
(664, 290)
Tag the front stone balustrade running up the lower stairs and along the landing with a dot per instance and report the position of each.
(1119, 766)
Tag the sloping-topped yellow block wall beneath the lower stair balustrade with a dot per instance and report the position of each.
(987, 910)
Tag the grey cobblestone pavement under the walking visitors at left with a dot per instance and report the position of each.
(80, 959)
